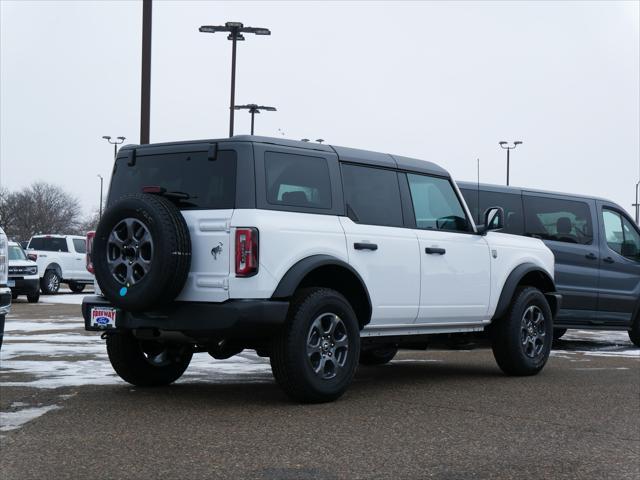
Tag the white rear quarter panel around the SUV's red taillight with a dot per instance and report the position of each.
(285, 239)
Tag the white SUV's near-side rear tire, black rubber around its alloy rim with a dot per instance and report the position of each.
(290, 363)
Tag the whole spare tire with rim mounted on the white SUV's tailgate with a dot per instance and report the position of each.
(141, 252)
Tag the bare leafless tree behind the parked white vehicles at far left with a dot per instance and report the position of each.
(39, 208)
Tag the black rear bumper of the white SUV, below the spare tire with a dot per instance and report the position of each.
(241, 319)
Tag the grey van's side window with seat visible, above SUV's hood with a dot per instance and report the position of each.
(560, 220)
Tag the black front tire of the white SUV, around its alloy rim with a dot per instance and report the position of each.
(507, 333)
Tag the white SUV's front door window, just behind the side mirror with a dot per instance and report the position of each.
(436, 204)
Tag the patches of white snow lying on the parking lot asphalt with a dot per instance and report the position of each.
(57, 352)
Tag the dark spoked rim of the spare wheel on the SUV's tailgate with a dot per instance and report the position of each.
(129, 251)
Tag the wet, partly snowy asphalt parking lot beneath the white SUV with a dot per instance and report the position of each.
(428, 414)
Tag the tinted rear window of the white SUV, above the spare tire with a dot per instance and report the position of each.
(207, 184)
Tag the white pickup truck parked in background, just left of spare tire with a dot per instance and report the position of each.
(60, 259)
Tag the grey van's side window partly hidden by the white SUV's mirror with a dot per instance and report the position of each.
(511, 203)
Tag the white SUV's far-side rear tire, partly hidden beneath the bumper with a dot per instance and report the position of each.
(130, 363)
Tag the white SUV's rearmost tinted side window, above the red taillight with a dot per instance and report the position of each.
(297, 180)
